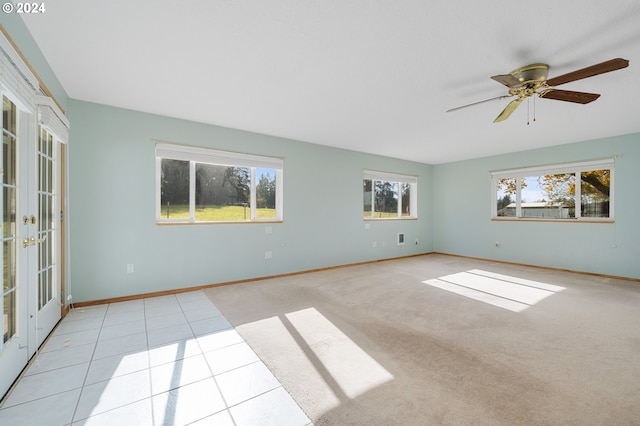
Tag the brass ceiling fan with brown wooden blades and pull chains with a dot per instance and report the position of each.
(531, 80)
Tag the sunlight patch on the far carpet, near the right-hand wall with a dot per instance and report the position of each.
(504, 291)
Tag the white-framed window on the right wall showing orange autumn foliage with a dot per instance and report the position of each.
(557, 192)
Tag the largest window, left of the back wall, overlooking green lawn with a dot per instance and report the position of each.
(204, 185)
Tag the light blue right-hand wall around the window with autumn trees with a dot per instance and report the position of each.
(462, 213)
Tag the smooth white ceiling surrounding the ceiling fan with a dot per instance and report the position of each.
(367, 75)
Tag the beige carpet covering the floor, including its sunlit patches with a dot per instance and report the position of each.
(377, 345)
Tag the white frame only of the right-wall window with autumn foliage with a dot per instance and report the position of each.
(564, 168)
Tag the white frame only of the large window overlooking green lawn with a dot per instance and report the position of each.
(193, 155)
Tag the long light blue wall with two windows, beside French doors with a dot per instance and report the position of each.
(112, 208)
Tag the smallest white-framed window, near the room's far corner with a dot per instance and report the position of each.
(389, 195)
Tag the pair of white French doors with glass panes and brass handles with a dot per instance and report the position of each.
(30, 248)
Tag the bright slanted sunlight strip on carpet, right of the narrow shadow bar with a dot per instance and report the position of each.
(350, 367)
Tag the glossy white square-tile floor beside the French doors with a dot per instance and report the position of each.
(170, 360)
